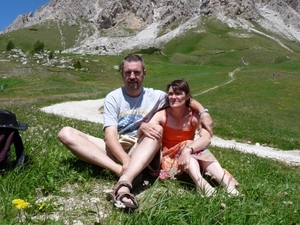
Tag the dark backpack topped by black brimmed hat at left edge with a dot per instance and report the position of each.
(9, 134)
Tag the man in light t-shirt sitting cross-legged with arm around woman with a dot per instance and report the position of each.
(125, 110)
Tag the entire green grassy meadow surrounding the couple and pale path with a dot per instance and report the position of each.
(252, 106)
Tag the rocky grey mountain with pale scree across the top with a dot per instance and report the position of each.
(110, 27)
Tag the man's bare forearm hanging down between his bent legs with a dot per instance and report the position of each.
(112, 142)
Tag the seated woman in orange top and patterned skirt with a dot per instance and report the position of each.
(181, 153)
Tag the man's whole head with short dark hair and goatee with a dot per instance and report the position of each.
(133, 72)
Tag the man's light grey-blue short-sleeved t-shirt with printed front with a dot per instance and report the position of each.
(128, 113)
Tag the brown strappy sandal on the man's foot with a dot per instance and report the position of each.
(116, 197)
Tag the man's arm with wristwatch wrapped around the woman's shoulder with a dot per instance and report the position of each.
(205, 118)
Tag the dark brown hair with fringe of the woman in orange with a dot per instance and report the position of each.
(178, 87)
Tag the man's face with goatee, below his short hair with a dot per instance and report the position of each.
(133, 76)
